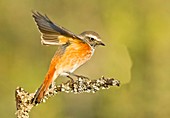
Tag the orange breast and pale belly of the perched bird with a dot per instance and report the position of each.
(74, 56)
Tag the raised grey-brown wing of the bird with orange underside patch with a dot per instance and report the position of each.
(52, 34)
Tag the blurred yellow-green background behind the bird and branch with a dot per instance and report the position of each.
(135, 31)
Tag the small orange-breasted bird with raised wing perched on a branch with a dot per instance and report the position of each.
(73, 50)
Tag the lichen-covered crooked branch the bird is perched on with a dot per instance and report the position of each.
(81, 85)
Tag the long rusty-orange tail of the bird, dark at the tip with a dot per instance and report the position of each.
(43, 88)
